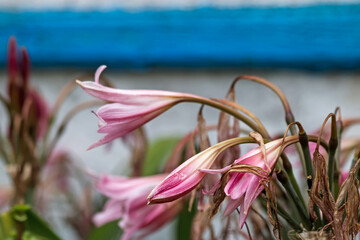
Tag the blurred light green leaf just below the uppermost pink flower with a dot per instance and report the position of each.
(157, 153)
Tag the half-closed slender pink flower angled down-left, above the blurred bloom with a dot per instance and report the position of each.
(187, 176)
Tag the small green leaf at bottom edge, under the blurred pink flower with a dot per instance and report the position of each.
(109, 231)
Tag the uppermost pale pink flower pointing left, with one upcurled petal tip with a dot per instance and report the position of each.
(130, 108)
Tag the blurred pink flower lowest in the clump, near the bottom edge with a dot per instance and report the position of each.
(128, 202)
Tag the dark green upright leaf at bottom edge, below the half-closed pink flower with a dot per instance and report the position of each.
(184, 222)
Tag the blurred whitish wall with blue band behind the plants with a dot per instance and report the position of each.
(309, 48)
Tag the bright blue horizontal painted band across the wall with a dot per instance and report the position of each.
(312, 37)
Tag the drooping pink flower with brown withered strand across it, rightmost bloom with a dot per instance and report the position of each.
(244, 187)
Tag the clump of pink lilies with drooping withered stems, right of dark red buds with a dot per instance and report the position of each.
(139, 201)
